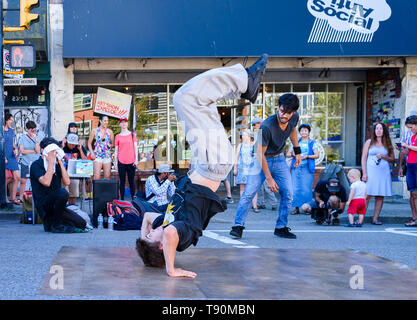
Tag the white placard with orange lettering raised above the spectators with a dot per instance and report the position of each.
(112, 103)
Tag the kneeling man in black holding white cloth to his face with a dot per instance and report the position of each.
(46, 176)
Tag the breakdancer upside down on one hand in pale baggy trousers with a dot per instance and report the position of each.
(195, 201)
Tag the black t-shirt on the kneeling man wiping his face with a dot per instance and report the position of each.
(40, 192)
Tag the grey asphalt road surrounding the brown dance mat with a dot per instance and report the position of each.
(27, 251)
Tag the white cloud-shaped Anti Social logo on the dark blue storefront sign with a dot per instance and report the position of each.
(346, 20)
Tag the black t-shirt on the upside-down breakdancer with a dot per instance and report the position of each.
(190, 210)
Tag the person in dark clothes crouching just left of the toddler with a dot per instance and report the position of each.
(331, 195)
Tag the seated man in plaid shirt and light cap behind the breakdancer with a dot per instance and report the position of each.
(161, 185)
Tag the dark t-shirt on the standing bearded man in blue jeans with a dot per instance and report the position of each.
(273, 136)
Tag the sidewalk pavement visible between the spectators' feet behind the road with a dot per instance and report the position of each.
(395, 210)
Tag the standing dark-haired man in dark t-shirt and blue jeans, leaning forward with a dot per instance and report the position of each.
(274, 132)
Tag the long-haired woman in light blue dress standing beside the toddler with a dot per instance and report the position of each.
(376, 155)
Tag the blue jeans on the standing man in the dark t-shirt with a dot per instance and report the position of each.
(281, 174)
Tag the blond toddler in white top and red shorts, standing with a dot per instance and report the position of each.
(357, 196)
